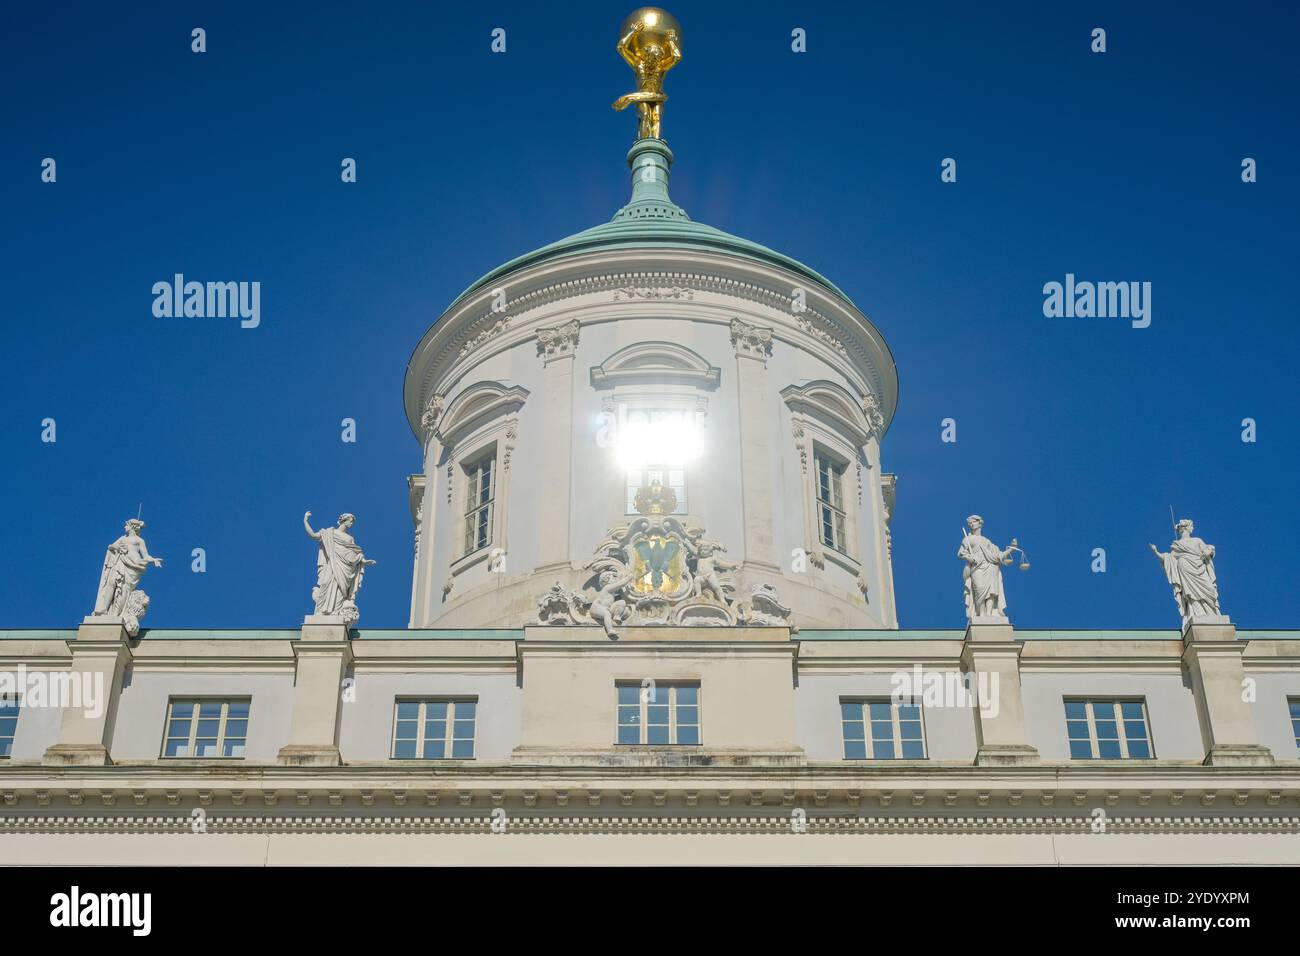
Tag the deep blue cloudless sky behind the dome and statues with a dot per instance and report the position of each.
(1073, 434)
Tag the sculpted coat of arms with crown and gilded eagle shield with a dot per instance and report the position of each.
(660, 572)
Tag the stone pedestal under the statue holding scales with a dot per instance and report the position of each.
(993, 652)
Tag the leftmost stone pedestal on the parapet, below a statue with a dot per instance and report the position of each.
(101, 655)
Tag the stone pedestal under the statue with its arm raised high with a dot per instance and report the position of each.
(322, 656)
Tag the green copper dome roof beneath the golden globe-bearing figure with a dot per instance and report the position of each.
(652, 219)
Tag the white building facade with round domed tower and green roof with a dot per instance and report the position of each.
(652, 621)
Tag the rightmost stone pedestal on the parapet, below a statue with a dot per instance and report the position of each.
(1214, 657)
